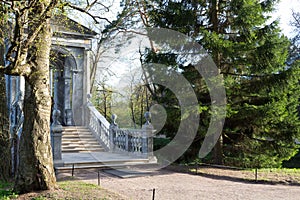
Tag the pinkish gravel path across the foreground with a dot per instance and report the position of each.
(173, 185)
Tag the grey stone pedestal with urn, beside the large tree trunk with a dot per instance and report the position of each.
(56, 135)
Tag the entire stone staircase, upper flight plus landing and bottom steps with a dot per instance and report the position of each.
(81, 150)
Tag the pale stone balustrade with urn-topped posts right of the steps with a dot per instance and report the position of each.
(130, 141)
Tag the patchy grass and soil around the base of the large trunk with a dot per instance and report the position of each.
(69, 189)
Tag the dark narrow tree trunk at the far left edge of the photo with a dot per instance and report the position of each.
(5, 156)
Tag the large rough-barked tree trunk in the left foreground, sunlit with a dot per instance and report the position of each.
(35, 171)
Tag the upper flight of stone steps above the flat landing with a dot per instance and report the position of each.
(79, 139)
